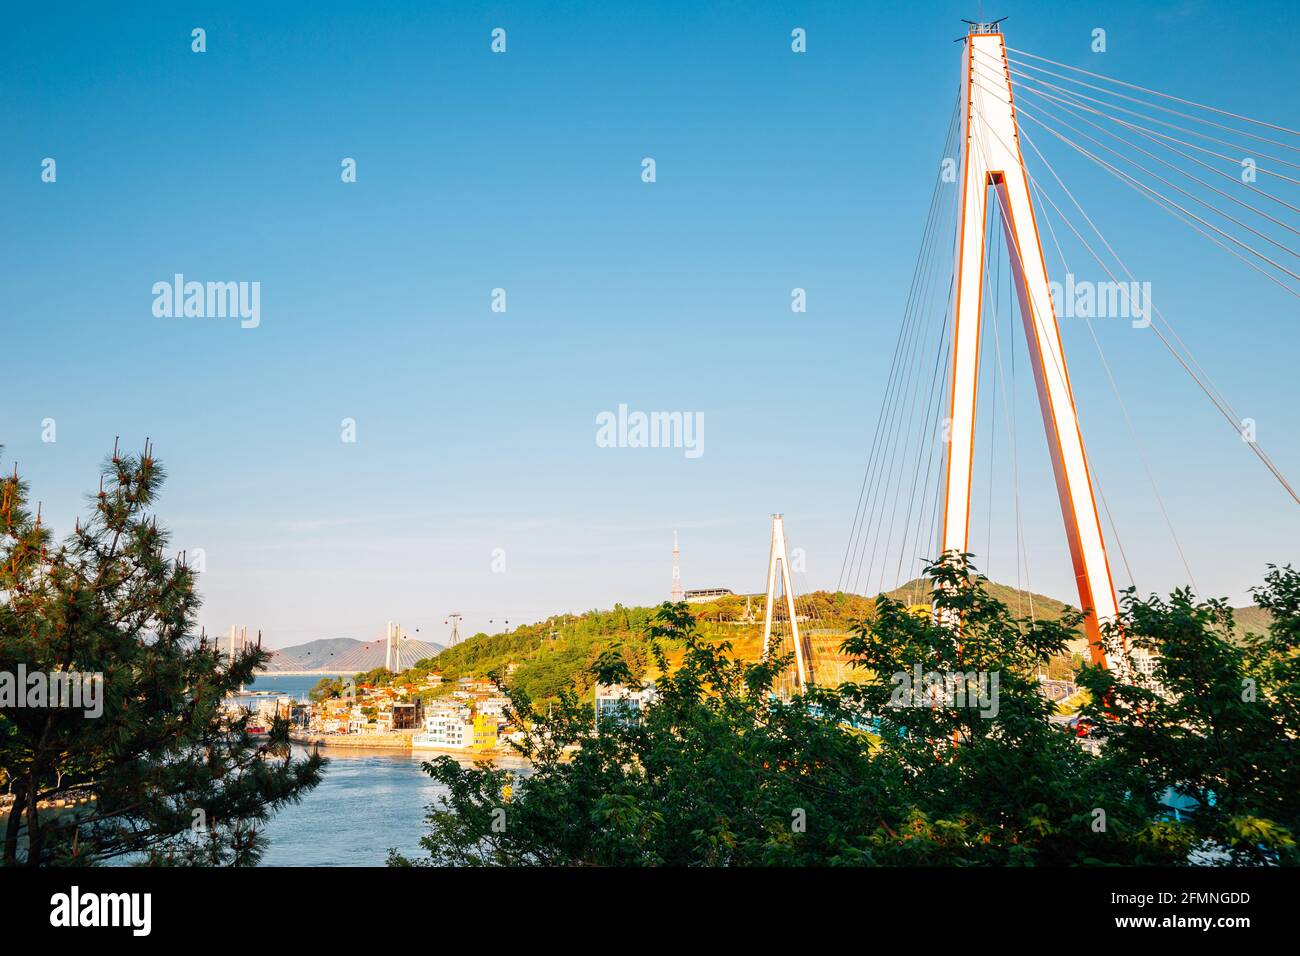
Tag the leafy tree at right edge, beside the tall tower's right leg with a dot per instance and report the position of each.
(1216, 723)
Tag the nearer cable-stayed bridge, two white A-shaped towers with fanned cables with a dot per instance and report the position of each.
(1003, 236)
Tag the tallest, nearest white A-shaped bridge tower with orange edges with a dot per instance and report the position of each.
(993, 161)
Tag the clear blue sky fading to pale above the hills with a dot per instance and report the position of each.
(476, 430)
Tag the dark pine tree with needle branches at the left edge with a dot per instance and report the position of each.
(174, 778)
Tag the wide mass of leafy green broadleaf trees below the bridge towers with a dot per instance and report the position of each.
(720, 771)
